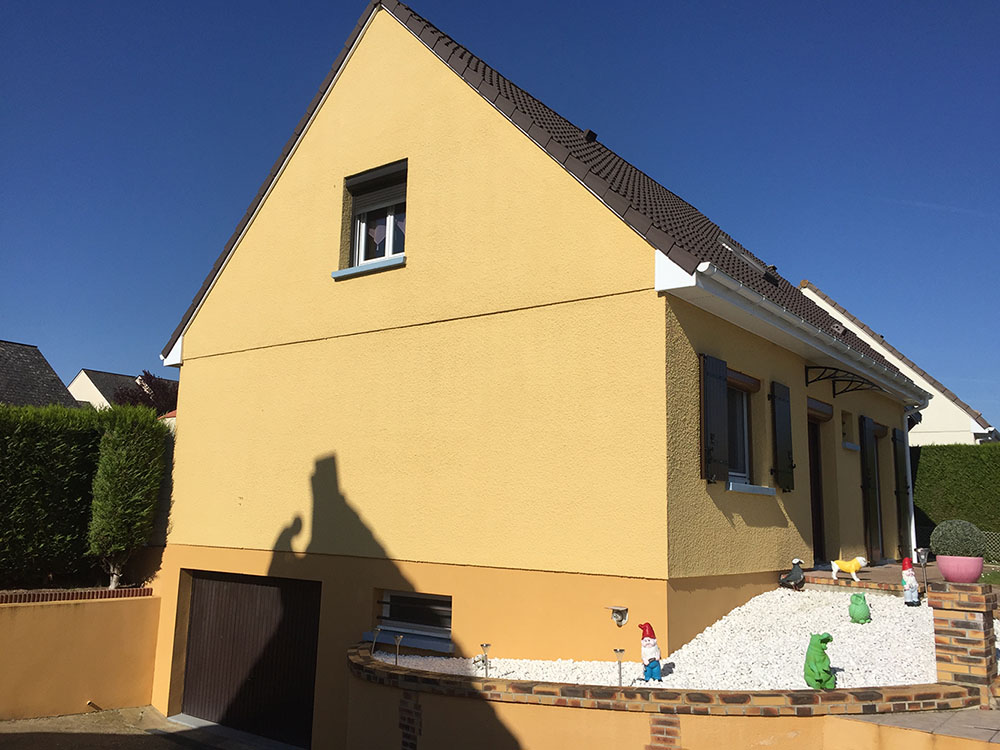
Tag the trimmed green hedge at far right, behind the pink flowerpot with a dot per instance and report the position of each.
(957, 481)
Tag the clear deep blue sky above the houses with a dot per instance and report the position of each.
(853, 144)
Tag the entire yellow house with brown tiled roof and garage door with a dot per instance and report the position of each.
(538, 384)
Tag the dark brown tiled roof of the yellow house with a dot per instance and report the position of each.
(666, 221)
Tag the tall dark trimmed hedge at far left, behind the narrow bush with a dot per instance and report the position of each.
(48, 459)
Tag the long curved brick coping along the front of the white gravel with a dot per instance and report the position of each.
(934, 696)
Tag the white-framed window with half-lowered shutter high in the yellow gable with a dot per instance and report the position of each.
(379, 224)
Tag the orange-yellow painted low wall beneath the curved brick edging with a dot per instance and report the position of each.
(442, 723)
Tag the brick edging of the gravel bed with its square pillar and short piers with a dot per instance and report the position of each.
(965, 645)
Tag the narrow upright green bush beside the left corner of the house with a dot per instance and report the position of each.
(126, 489)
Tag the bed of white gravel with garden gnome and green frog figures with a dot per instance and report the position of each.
(759, 646)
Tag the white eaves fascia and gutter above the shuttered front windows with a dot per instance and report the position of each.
(718, 293)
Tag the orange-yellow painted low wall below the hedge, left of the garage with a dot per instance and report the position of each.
(57, 656)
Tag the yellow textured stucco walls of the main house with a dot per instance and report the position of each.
(512, 418)
